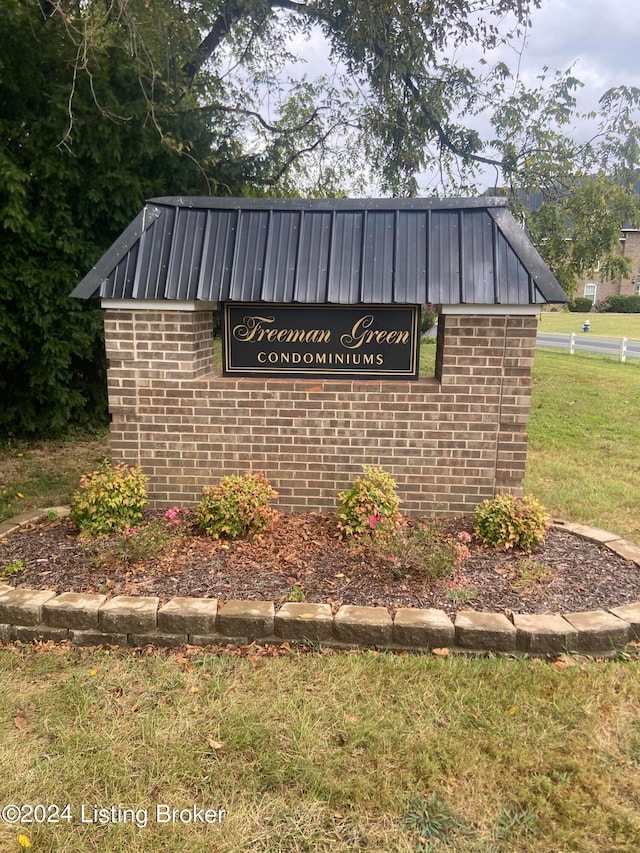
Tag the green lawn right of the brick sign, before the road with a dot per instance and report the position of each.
(584, 440)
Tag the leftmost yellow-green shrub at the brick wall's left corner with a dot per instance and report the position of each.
(110, 500)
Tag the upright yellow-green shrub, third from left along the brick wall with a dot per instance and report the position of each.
(371, 501)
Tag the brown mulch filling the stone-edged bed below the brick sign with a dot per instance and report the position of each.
(301, 557)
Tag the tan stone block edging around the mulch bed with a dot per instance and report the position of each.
(92, 619)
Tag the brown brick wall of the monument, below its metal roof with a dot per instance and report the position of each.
(449, 441)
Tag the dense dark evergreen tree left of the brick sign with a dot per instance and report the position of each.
(69, 183)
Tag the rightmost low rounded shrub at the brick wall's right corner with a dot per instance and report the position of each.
(507, 521)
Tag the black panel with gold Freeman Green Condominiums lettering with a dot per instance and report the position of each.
(355, 341)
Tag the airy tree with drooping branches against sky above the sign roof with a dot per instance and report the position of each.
(398, 91)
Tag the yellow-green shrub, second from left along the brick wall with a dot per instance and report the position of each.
(237, 506)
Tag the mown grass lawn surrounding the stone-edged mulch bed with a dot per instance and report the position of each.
(341, 752)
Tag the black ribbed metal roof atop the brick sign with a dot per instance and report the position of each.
(343, 251)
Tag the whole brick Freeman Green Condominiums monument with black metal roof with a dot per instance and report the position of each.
(319, 368)
